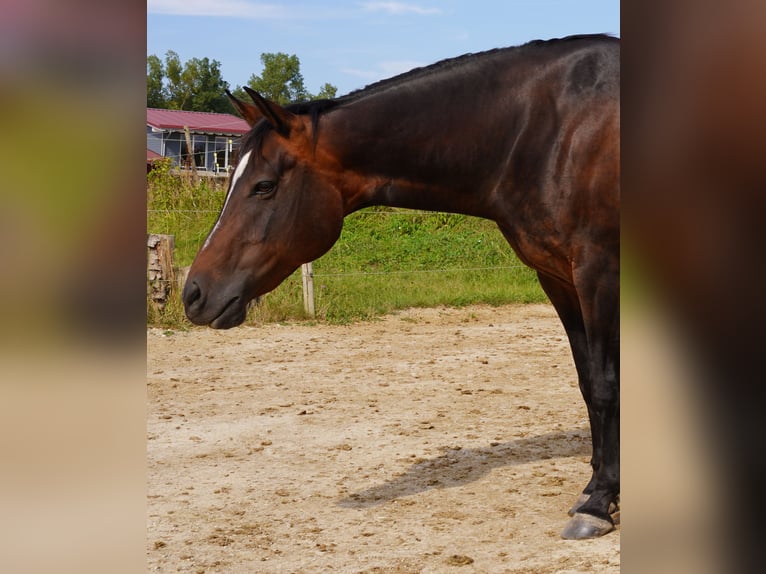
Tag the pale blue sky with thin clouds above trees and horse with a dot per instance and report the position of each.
(351, 44)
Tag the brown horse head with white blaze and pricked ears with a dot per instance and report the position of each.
(281, 210)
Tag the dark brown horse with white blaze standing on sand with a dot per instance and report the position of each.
(528, 137)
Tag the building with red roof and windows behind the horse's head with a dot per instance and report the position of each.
(214, 137)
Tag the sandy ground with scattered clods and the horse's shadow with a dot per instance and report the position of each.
(433, 440)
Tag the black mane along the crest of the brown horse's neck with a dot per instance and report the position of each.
(315, 108)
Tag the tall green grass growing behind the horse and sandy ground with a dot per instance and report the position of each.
(386, 259)
